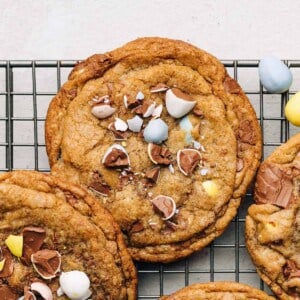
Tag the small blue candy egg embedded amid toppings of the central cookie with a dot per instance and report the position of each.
(156, 131)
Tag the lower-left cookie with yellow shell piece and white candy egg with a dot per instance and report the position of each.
(57, 242)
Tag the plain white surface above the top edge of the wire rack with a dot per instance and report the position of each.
(33, 29)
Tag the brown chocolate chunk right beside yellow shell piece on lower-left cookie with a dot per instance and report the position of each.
(33, 238)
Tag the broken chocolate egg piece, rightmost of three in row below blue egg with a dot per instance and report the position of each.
(187, 160)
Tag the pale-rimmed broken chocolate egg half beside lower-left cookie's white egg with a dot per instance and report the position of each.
(46, 263)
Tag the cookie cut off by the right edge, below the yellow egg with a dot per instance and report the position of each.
(273, 223)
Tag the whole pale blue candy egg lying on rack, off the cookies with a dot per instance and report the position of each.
(274, 75)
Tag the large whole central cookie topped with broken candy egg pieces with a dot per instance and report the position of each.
(165, 139)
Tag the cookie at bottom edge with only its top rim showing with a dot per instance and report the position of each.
(219, 291)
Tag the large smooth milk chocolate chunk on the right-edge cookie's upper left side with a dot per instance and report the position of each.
(274, 186)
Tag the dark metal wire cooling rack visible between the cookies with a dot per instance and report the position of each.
(27, 87)
